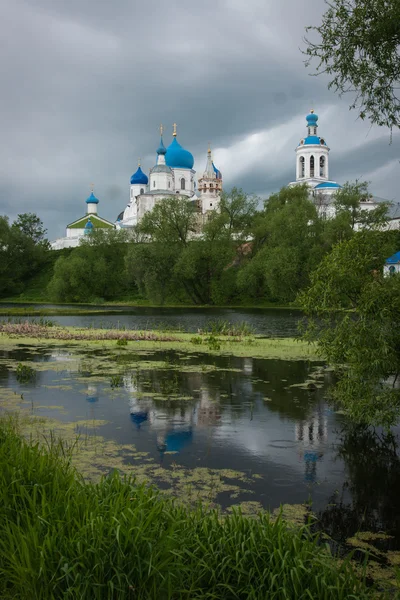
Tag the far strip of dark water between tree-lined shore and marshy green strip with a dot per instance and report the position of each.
(273, 322)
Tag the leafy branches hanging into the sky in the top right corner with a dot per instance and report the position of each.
(358, 46)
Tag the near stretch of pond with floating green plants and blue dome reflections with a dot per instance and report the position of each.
(262, 427)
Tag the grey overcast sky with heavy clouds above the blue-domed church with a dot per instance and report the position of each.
(86, 83)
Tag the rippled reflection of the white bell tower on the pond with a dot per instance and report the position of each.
(312, 434)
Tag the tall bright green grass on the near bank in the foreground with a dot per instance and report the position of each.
(61, 537)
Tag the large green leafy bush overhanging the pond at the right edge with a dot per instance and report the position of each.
(354, 315)
